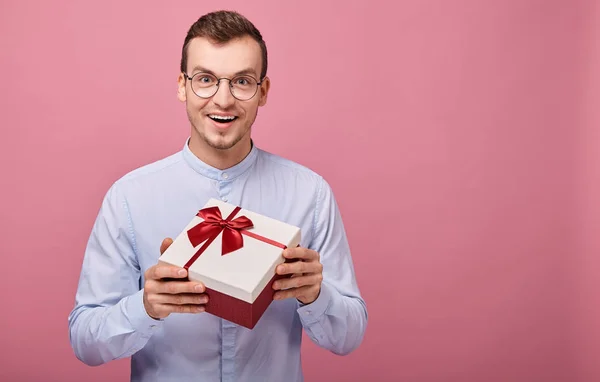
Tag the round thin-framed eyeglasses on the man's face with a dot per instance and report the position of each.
(205, 85)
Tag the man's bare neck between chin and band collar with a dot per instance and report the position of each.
(220, 159)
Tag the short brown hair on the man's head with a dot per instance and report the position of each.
(221, 27)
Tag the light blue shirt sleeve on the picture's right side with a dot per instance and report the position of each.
(337, 319)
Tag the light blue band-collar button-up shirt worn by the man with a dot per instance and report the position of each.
(156, 201)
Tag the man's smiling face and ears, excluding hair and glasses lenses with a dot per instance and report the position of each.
(212, 126)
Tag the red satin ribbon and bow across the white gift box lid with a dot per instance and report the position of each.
(213, 224)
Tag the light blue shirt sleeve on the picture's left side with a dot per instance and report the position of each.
(109, 320)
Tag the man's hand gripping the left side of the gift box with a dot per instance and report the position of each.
(166, 290)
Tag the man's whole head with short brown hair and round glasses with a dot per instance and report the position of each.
(223, 48)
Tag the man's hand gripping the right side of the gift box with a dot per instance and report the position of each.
(306, 276)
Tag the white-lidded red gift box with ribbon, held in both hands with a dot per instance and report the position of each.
(234, 253)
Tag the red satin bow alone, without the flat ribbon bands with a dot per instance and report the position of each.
(214, 223)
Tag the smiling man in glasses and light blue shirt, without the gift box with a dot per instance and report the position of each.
(126, 307)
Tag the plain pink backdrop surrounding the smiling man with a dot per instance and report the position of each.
(461, 139)
